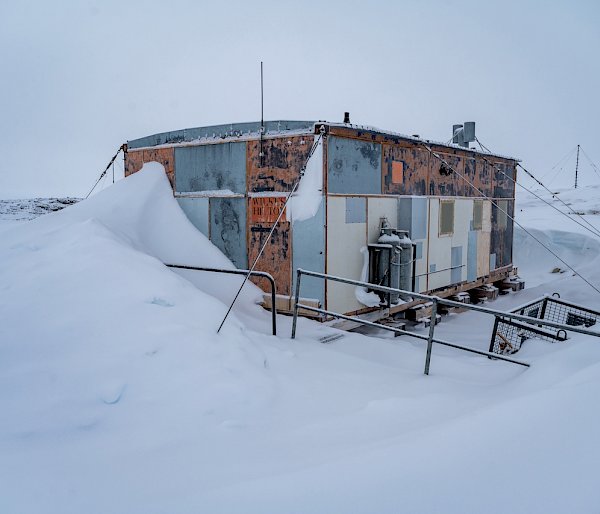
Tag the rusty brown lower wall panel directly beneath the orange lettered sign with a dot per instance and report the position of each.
(277, 256)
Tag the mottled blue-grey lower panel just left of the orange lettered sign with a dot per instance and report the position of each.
(228, 228)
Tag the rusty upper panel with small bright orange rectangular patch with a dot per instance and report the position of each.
(405, 170)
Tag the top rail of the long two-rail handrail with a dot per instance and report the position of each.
(451, 303)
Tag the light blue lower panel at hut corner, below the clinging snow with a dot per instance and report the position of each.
(308, 252)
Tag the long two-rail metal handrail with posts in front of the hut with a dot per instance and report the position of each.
(435, 300)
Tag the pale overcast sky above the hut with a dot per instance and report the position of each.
(80, 78)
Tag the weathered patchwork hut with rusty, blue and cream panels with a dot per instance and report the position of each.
(232, 180)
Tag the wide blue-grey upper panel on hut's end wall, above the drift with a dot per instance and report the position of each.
(211, 167)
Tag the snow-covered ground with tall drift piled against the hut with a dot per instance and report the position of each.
(118, 396)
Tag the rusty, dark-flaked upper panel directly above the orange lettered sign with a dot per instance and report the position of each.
(279, 168)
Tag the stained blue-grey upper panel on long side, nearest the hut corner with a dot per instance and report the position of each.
(353, 167)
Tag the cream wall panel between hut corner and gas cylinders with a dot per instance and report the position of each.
(344, 241)
